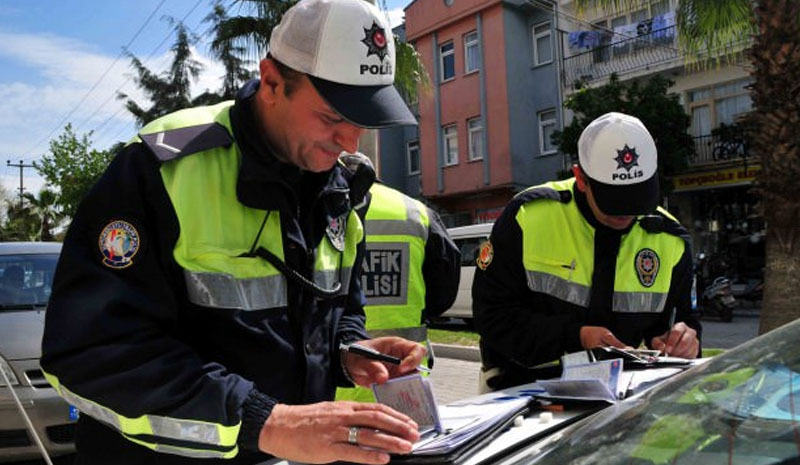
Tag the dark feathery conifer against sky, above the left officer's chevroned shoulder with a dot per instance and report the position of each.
(171, 90)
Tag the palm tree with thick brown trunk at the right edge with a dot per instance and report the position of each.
(710, 29)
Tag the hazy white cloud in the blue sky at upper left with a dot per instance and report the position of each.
(61, 71)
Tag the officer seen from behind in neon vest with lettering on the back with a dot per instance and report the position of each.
(410, 273)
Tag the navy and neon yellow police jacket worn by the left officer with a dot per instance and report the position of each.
(176, 348)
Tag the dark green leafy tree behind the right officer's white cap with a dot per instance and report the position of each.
(650, 101)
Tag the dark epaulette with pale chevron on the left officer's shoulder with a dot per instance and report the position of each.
(177, 143)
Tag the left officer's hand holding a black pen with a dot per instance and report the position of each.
(365, 371)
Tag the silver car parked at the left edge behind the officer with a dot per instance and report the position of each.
(26, 277)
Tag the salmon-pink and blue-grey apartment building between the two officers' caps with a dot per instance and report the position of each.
(485, 122)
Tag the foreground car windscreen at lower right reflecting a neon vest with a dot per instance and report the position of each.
(740, 408)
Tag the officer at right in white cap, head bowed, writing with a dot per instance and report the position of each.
(586, 262)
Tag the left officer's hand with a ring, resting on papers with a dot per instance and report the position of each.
(318, 433)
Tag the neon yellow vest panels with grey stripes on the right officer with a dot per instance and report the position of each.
(558, 256)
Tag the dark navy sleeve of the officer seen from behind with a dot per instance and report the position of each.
(441, 268)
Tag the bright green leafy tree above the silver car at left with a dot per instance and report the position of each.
(73, 167)
